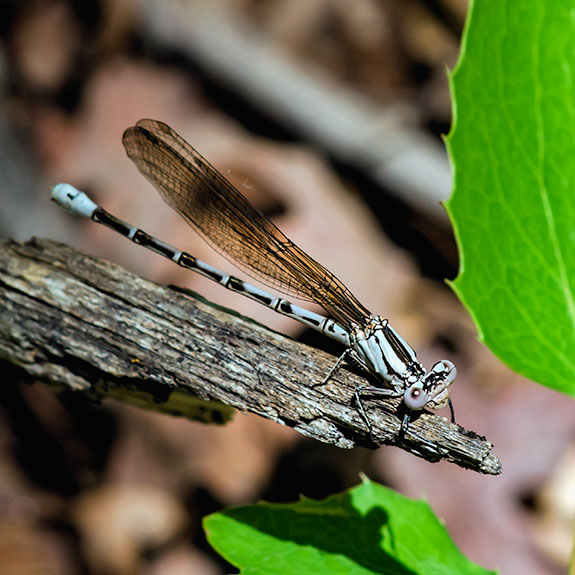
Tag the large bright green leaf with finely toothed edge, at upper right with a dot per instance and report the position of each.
(512, 150)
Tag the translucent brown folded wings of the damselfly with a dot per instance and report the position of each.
(231, 224)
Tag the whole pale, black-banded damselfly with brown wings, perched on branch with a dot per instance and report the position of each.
(238, 230)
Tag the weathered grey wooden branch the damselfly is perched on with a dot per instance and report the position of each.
(77, 322)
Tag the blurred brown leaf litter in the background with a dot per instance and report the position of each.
(88, 488)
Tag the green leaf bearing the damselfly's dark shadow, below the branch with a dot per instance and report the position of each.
(368, 529)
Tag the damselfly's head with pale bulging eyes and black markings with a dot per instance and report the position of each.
(432, 390)
